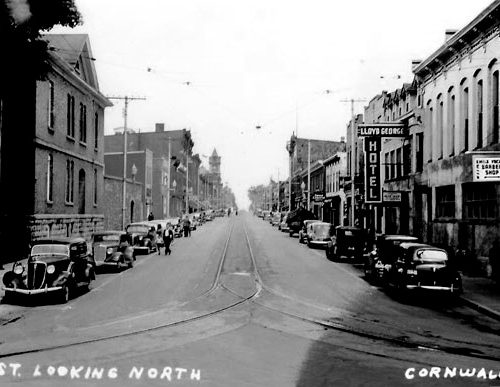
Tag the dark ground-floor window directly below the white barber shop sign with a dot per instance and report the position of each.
(479, 201)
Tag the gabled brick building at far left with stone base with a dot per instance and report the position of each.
(52, 152)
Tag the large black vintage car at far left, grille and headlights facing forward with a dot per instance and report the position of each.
(55, 266)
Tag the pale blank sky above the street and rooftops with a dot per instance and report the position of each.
(244, 75)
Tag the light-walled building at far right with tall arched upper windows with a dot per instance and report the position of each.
(459, 84)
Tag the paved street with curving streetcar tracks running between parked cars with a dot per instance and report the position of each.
(240, 303)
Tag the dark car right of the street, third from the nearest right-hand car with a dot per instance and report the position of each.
(347, 241)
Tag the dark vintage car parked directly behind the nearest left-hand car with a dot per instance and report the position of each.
(113, 248)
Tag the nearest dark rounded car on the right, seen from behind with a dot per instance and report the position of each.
(421, 266)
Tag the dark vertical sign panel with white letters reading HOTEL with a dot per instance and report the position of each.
(373, 178)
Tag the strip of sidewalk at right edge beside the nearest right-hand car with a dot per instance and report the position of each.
(482, 294)
